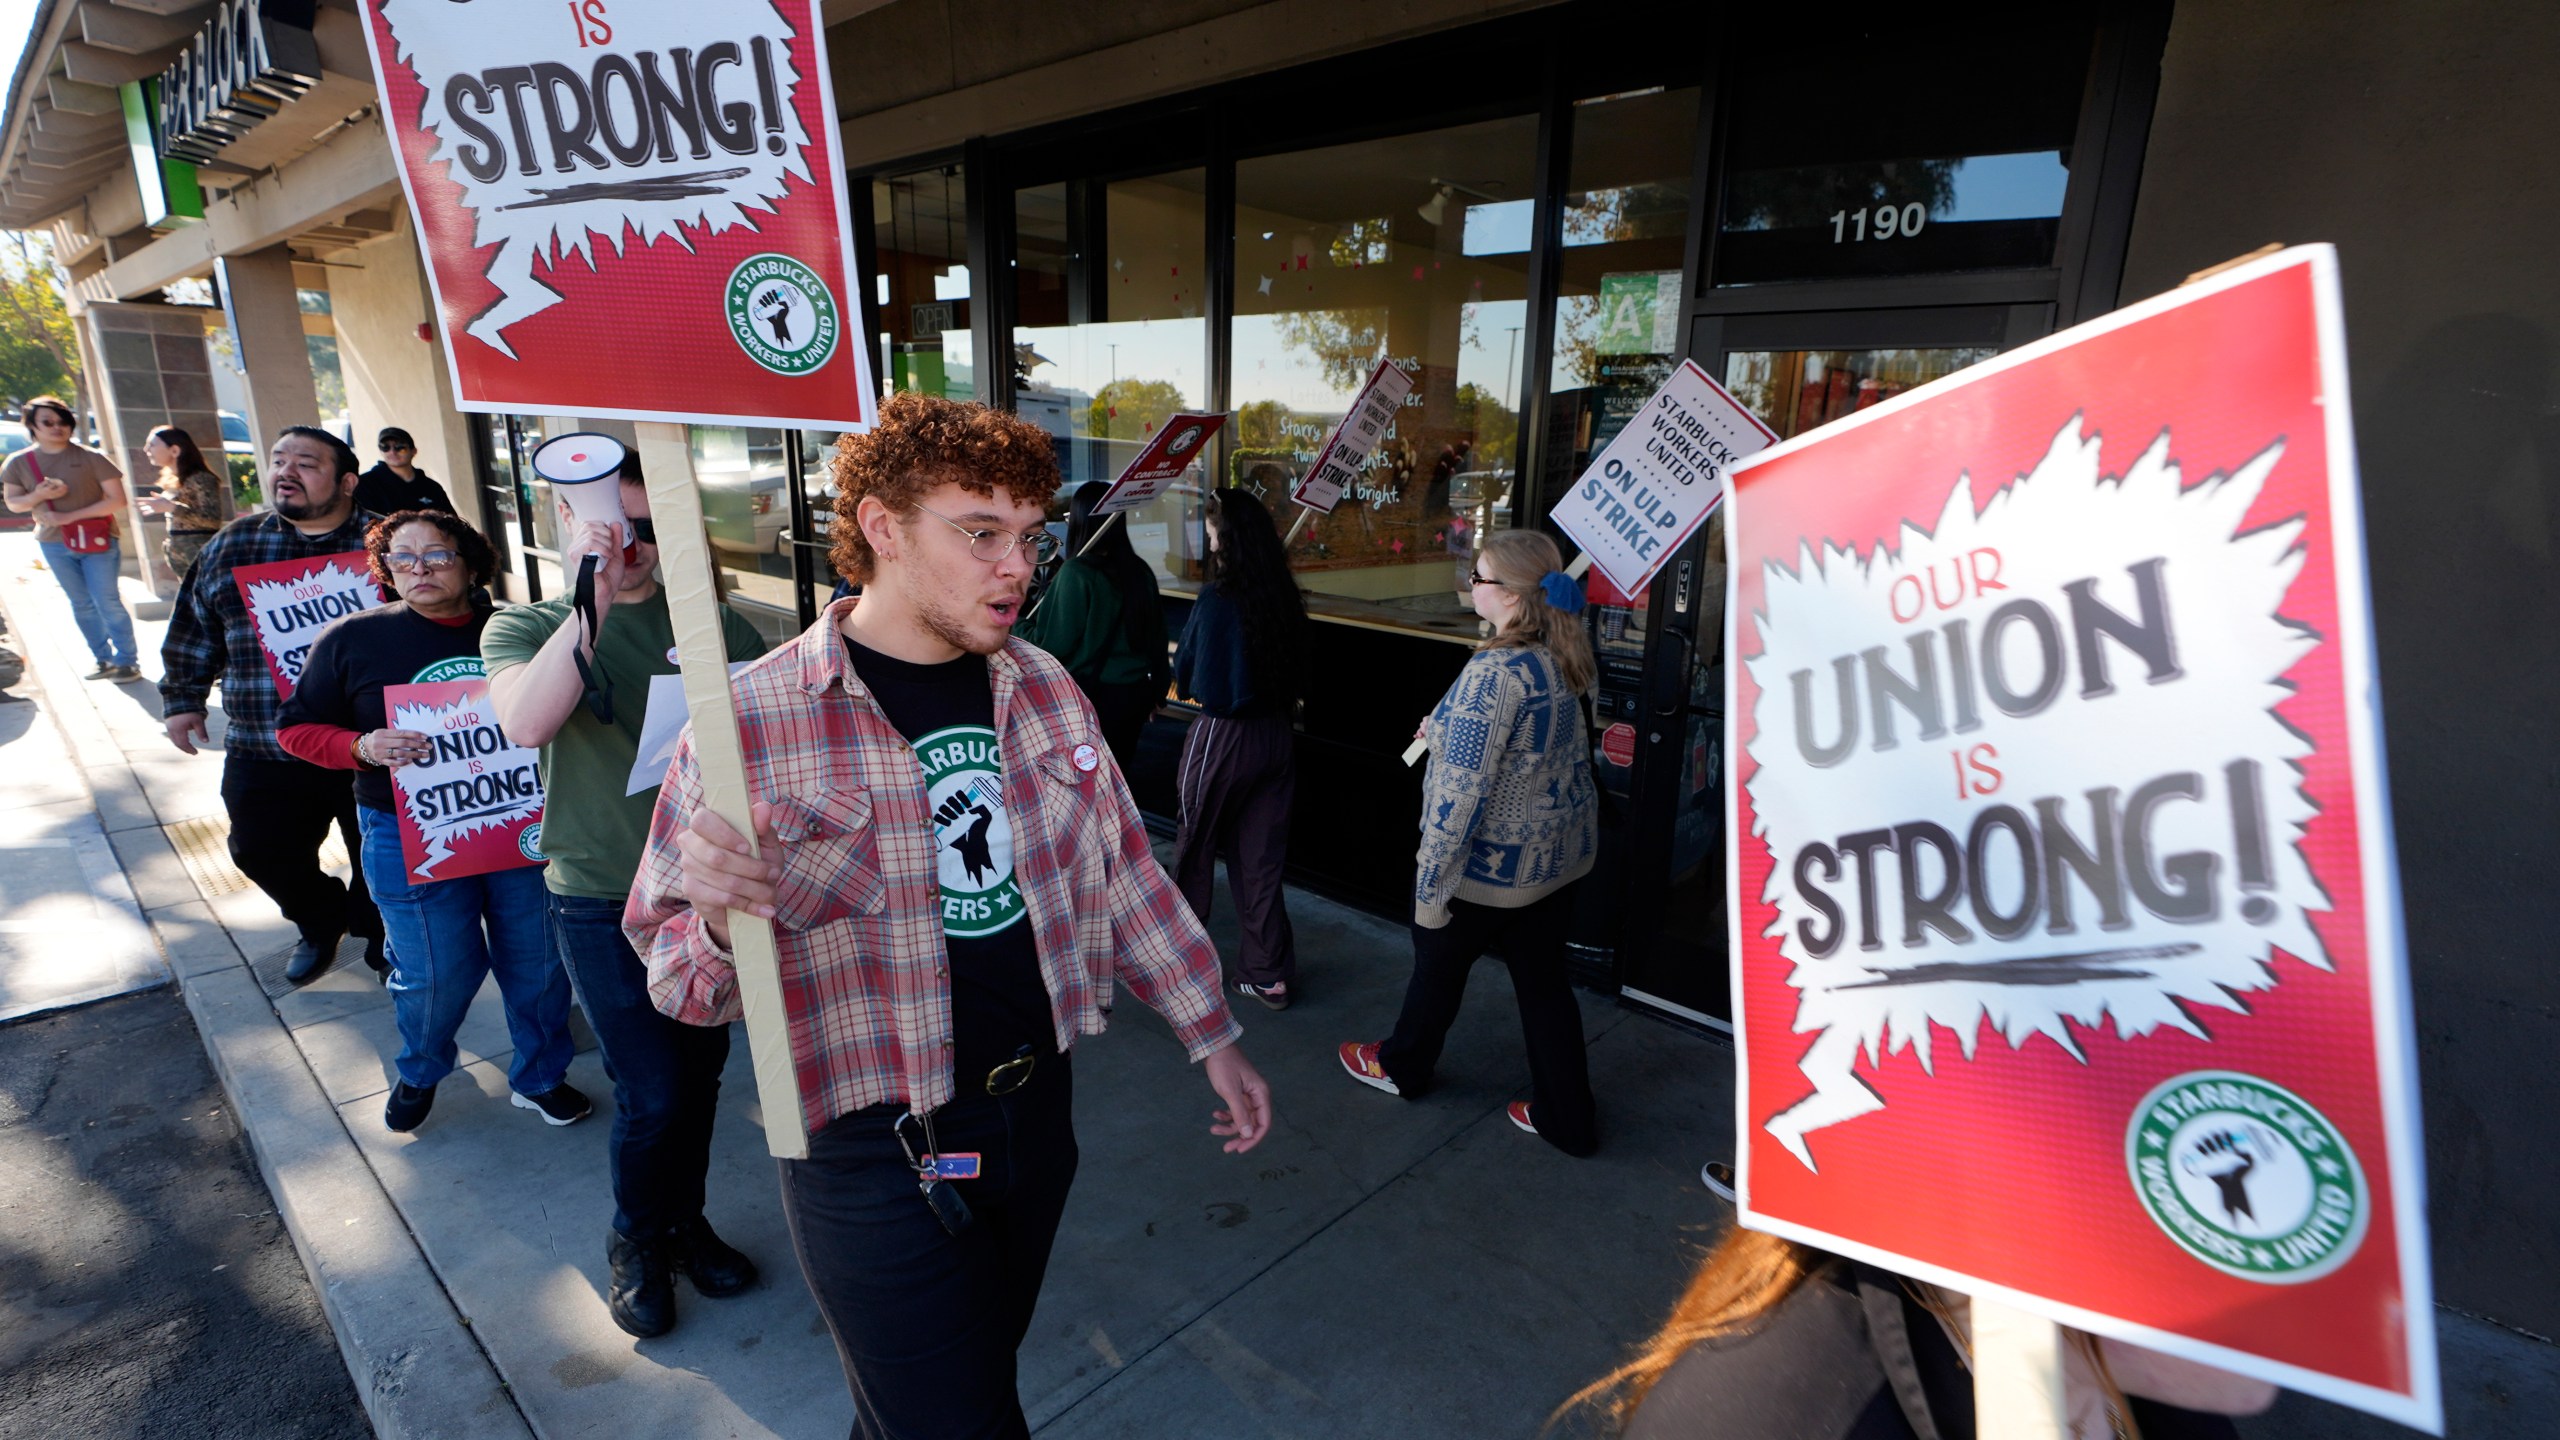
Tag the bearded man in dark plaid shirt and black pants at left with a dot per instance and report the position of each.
(280, 808)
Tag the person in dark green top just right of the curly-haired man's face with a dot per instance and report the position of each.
(1105, 624)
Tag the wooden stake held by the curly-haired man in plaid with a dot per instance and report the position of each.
(692, 603)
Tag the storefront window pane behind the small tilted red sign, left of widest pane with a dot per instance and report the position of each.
(1112, 329)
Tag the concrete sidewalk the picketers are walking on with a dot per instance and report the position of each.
(1373, 1270)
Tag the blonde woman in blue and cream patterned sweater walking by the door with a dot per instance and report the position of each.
(1509, 826)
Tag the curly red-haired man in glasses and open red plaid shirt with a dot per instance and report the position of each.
(933, 990)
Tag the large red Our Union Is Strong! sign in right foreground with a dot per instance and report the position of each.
(2065, 913)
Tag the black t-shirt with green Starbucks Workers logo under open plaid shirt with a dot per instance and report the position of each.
(948, 714)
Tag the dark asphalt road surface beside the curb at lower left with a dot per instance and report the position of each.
(147, 1285)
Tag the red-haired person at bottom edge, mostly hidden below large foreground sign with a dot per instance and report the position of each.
(1780, 1339)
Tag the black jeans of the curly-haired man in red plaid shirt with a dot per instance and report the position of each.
(923, 1321)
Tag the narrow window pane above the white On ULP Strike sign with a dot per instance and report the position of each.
(1627, 242)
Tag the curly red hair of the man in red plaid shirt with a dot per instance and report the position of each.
(920, 445)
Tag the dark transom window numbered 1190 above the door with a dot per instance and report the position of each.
(1903, 155)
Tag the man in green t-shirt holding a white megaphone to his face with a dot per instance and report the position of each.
(572, 680)
